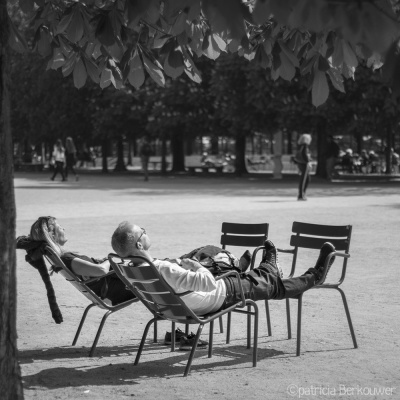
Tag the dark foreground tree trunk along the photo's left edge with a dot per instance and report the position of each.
(10, 373)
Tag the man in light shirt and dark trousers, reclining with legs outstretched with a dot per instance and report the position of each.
(208, 295)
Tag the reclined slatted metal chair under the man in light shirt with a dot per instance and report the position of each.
(145, 281)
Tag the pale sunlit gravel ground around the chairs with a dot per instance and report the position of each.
(181, 213)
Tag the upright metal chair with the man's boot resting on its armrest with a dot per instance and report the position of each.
(313, 236)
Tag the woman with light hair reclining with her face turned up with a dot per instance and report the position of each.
(111, 287)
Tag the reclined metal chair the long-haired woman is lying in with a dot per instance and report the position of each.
(95, 300)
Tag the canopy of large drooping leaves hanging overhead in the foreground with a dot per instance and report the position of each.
(120, 42)
